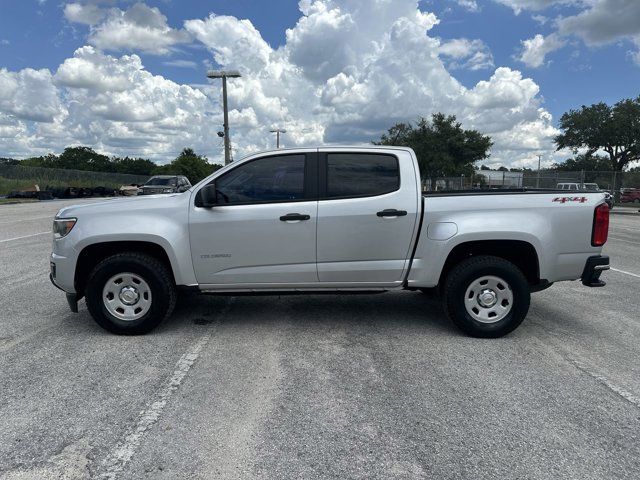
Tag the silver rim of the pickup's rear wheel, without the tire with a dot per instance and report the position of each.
(488, 299)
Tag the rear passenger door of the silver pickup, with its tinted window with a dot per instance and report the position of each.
(367, 215)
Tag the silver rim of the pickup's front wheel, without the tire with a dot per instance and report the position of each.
(127, 296)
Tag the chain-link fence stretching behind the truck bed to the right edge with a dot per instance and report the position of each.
(613, 182)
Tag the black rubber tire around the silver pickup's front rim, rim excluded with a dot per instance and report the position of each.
(154, 272)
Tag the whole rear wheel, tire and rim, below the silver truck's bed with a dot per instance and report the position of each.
(486, 296)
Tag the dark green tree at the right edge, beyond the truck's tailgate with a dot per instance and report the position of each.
(614, 130)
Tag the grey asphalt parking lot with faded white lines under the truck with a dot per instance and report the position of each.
(322, 386)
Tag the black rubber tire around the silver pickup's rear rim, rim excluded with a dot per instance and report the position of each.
(463, 275)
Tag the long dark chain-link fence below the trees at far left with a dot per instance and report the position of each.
(75, 178)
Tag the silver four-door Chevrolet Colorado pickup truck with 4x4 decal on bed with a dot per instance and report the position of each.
(328, 219)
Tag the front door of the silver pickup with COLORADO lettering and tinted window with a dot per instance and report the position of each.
(263, 231)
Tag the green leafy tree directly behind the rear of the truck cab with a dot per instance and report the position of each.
(442, 146)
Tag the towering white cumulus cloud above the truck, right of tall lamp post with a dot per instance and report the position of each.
(349, 71)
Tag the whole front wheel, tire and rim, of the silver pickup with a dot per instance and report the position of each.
(130, 293)
